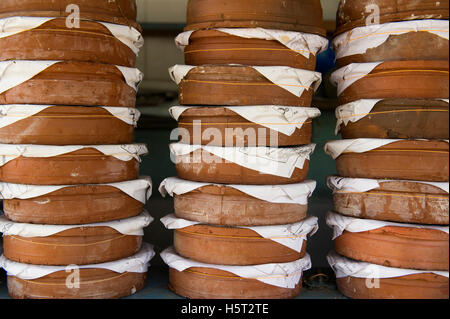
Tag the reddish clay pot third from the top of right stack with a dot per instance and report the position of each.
(403, 79)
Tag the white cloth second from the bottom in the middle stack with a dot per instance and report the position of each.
(291, 235)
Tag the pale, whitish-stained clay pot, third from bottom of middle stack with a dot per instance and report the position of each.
(221, 205)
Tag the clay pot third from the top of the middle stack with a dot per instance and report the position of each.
(235, 86)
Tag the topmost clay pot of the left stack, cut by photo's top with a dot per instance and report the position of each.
(118, 11)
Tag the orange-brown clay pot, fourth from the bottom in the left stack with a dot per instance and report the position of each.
(85, 166)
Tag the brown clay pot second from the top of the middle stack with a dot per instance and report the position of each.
(215, 47)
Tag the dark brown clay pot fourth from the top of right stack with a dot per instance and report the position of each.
(402, 118)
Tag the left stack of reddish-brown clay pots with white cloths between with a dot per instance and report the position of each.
(69, 178)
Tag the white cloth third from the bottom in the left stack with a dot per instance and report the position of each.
(139, 189)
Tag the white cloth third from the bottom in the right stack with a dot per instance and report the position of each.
(362, 185)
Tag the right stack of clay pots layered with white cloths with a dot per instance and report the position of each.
(391, 198)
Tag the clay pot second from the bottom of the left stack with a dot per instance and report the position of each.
(79, 246)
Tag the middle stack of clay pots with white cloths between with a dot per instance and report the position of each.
(240, 222)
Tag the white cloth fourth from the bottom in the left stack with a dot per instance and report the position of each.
(126, 152)
